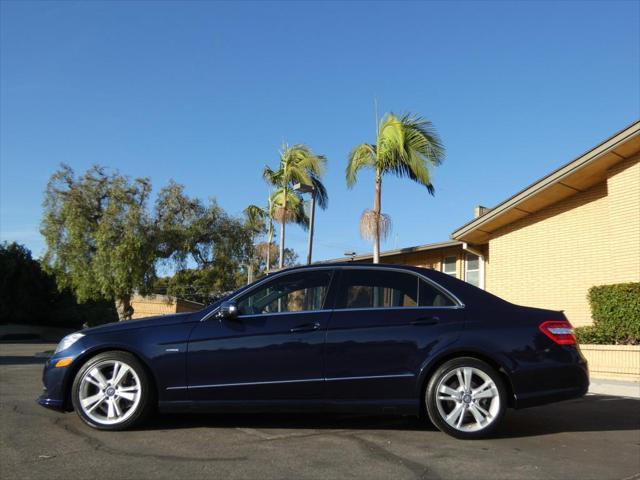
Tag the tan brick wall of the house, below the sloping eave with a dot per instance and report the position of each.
(551, 258)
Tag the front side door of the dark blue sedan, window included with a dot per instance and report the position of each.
(272, 351)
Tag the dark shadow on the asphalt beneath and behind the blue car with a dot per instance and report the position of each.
(592, 413)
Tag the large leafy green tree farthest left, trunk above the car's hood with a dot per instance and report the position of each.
(99, 235)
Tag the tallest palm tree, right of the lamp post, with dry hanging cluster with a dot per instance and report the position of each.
(408, 146)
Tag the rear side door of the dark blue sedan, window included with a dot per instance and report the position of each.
(385, 325)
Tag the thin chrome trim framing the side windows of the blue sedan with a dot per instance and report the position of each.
(437, 286)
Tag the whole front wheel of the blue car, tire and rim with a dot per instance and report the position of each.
(111, 391)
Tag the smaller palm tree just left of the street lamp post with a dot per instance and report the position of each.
(298, 164)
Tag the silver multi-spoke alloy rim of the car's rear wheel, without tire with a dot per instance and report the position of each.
(467, 399)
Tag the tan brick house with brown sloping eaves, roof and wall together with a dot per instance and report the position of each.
(545, 246)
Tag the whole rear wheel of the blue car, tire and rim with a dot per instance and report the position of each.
(466, 398)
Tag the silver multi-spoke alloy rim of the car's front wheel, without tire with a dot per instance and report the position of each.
(110, 392)
